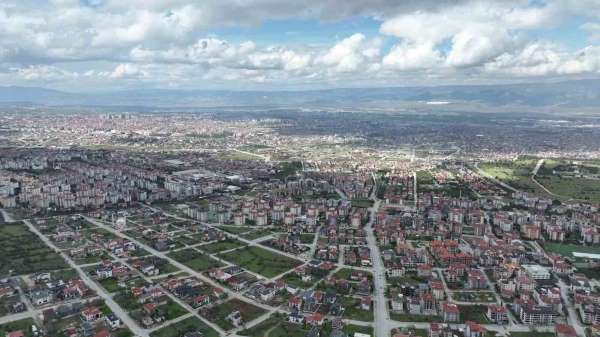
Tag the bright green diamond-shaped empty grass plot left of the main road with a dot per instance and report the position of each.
(261, 261)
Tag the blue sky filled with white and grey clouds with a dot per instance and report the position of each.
(103, 45)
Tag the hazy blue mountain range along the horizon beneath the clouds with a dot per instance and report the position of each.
(578, 93)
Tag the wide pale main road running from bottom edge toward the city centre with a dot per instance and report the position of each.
(381, 314)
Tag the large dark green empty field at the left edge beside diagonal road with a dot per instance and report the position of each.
(22, 252)
